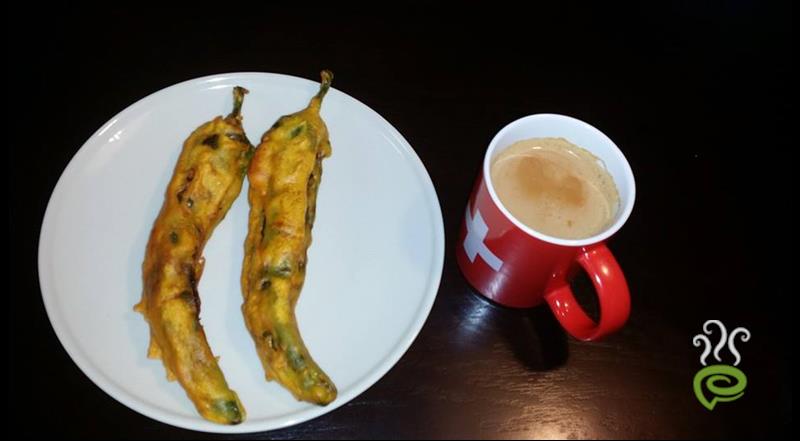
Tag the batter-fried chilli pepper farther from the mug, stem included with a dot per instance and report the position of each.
(207, 179)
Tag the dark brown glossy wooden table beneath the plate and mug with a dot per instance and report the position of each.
(697, 96)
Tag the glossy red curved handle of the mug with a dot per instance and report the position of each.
(612, 293)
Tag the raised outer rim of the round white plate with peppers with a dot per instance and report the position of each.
(107, 385)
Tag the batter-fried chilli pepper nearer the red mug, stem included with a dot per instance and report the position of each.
(284, 177)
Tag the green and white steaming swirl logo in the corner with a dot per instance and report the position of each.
(722, 382)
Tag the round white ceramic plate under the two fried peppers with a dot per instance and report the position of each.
(373, 273)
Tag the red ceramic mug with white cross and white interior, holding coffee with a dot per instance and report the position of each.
(516, 266)
